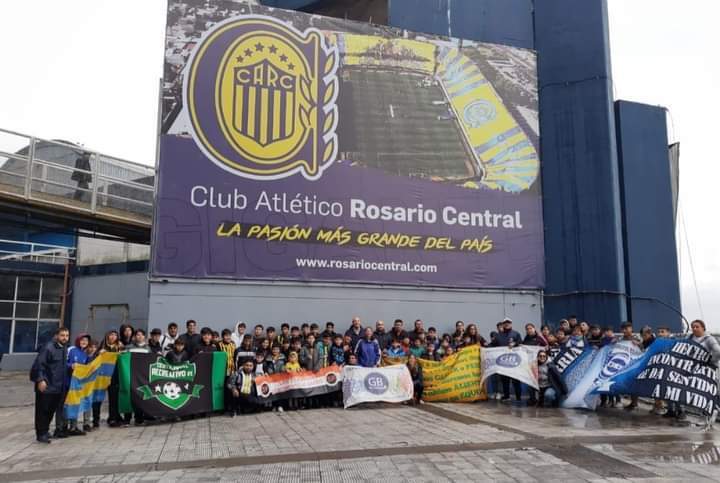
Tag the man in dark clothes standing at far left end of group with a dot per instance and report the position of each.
(48, 374)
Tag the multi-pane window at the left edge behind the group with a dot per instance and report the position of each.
(30, 309)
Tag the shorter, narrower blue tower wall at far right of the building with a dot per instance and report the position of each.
(649, 229)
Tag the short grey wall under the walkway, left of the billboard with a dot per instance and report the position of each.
(116, 288)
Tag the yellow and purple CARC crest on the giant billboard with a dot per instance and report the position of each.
(261, 98)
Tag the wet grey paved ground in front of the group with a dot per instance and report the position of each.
(435, 442)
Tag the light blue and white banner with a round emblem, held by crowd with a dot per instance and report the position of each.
(592, 369)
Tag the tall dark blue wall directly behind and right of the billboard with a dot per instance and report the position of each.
(583, 238)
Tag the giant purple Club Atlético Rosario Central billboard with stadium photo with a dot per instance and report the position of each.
(298, 147)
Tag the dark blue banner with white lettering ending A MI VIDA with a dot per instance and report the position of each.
(679, 371)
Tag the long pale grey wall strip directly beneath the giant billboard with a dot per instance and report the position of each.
(220, 305)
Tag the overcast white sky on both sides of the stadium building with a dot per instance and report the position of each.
(87, 71)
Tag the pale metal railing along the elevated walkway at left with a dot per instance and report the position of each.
(74, 177)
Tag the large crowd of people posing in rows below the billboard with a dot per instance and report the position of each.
(266, 350)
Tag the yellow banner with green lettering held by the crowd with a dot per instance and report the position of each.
(457, 378)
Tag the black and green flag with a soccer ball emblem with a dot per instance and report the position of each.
(161, 389)
